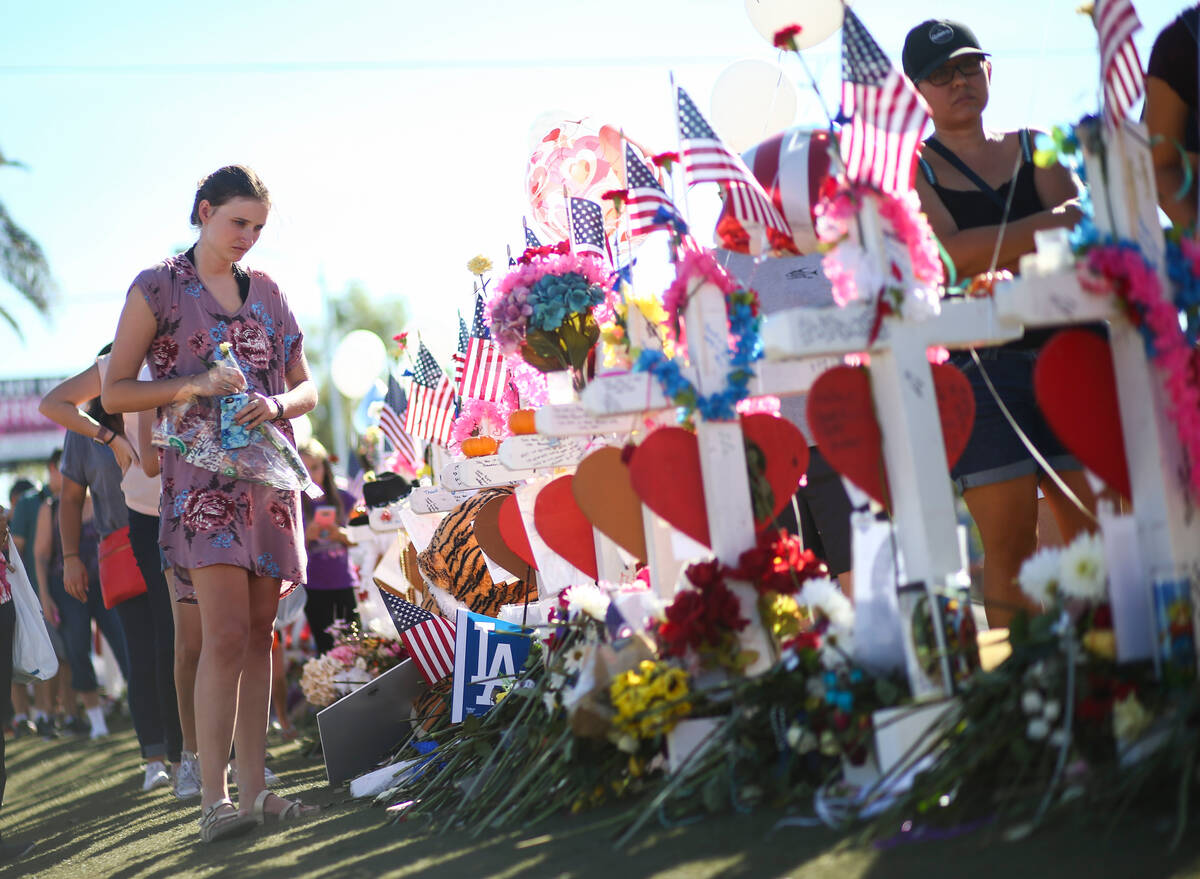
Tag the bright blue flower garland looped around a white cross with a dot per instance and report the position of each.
(722, 405)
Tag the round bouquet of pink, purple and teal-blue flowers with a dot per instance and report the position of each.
(549, 307)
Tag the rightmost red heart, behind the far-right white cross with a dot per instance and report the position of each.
(1077, 390)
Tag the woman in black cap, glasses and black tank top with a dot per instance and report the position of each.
(985, 200)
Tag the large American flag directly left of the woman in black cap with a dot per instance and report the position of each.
(885, 115)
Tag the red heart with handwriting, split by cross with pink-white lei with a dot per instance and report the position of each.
(842, 416)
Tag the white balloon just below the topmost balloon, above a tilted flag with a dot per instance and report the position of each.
(752, 101)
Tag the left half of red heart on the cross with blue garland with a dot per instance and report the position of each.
(665, 471)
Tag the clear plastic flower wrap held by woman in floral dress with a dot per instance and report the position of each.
(193, 429)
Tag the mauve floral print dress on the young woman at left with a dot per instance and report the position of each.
(207, 518)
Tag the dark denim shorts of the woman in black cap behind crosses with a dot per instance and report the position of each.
(995, 453)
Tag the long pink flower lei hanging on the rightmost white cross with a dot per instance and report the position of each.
(1123, 271)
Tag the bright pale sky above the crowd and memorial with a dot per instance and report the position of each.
(392, 134)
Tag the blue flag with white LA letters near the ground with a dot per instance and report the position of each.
(487, 653)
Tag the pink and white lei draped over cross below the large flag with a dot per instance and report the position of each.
(835, 217)
